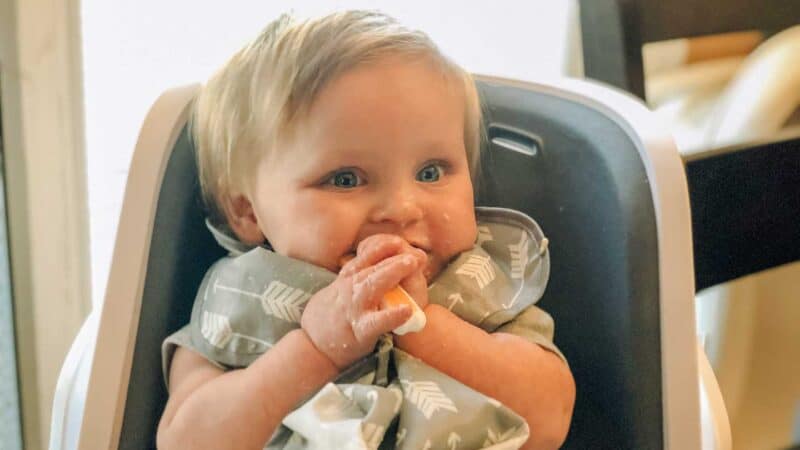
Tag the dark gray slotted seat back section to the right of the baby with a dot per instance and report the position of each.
(586, 186)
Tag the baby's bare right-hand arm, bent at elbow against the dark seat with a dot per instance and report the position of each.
(530, 380)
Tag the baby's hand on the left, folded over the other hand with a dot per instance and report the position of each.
(345, 319)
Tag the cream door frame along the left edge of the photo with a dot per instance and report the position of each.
(48, 225)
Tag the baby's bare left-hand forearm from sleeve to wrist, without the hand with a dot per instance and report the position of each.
(239, 409)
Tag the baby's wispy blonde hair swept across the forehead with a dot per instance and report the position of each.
(255, 100)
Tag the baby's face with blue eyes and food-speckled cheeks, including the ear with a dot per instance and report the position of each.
(381, 151)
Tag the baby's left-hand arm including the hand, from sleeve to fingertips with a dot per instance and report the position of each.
(240, 409)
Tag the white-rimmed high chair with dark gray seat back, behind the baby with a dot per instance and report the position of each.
(589, 163)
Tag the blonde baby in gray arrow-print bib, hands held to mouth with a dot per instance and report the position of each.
(337, 159)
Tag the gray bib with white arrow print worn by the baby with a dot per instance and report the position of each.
(250, 299)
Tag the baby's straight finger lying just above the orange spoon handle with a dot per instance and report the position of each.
(372, 283)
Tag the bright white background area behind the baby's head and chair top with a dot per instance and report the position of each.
(133, 51)
